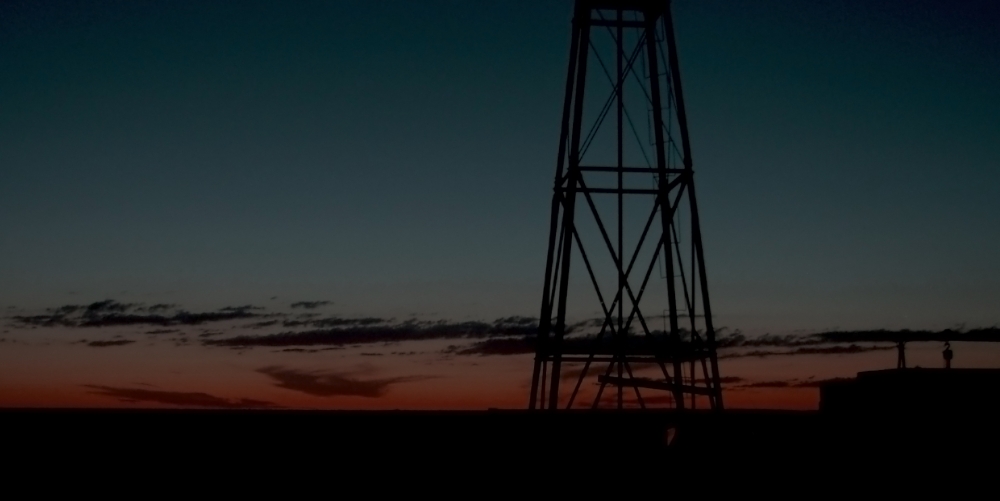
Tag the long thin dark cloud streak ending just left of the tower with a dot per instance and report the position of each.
(358, 332)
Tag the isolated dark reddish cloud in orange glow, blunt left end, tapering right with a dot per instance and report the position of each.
(331, 384)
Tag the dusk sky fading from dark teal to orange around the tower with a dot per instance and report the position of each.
(395, 158)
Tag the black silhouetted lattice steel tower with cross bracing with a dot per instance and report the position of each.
(640, 163)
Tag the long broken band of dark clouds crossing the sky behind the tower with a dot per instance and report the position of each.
(512, 335)
